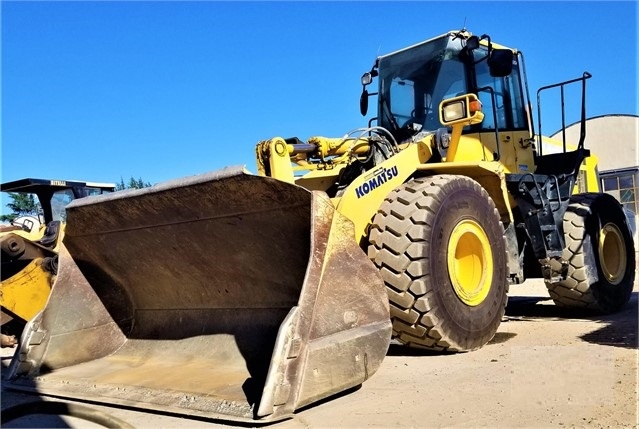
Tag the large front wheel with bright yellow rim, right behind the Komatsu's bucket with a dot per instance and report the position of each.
(440, 247)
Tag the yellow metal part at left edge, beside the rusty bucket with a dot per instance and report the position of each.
(26, 293)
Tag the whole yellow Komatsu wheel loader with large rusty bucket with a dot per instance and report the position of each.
(246, 297)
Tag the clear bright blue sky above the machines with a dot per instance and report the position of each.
(108, 90)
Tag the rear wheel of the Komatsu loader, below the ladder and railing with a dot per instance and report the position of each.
(600, 252)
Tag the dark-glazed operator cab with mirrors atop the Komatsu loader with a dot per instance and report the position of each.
(414, 81)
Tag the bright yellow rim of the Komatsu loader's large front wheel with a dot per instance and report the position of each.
(470, 262)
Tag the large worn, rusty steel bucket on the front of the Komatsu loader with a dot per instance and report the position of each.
(224, 295)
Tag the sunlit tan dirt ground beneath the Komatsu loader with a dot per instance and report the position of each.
(542, 370)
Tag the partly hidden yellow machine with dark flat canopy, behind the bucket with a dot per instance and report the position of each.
(30, 246)
